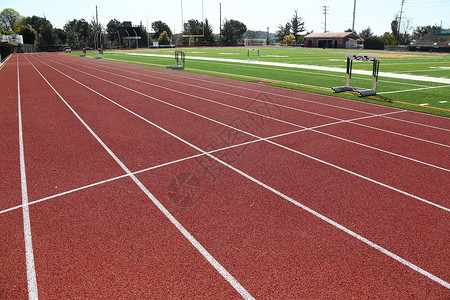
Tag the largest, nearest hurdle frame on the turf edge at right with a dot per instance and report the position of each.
(361, 91)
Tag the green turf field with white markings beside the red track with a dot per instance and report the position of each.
(424, 96)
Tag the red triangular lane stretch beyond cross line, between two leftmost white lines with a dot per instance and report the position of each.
(59, 153)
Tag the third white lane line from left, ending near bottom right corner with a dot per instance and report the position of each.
(269, 188)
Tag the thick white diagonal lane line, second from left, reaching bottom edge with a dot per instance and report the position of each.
(222, 271)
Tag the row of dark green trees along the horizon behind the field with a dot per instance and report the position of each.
(80, 33)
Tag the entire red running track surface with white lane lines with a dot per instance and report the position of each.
(123, 181)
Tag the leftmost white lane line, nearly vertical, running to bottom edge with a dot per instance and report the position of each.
(29, 255)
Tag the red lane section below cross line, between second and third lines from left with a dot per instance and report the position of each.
(277, 250)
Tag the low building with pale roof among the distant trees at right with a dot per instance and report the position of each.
(347, 40)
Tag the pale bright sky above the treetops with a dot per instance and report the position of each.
(256, 14)
